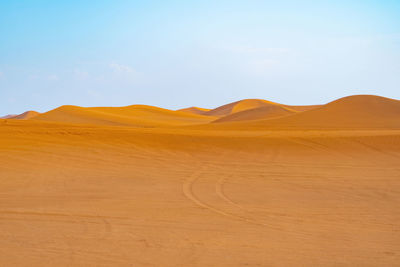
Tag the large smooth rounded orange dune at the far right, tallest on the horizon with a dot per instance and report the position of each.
(353, 112)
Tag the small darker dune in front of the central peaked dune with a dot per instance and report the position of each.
(266, 112)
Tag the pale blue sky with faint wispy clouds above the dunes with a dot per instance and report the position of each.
(175, 54)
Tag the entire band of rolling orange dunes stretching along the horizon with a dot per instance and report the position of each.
(352, 112)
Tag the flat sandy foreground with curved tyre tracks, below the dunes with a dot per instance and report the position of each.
(118, 196)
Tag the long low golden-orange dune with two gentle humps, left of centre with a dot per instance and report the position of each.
(136, 115)
